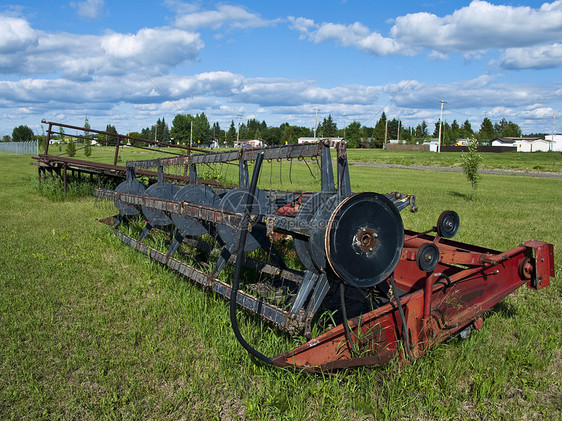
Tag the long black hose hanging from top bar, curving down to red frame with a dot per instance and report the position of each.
(239, 259)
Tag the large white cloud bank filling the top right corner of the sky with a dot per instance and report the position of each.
(471, 29)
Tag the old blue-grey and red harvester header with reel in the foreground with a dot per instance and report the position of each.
(390, 291)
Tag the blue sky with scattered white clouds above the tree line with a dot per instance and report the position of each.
(128, 63)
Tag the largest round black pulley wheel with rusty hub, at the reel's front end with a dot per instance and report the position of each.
(364, 239)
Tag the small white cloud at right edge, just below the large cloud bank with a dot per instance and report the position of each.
(538, 57)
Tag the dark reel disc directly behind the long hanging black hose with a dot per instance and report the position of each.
(235, 201)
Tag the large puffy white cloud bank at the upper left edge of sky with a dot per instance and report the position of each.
(150, 50)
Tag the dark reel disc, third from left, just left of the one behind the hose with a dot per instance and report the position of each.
(197, 195)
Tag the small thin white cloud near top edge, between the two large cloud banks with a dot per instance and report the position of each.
(224, 16)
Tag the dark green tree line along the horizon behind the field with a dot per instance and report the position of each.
(196, 130)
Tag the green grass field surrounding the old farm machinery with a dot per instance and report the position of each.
(91, 329)
